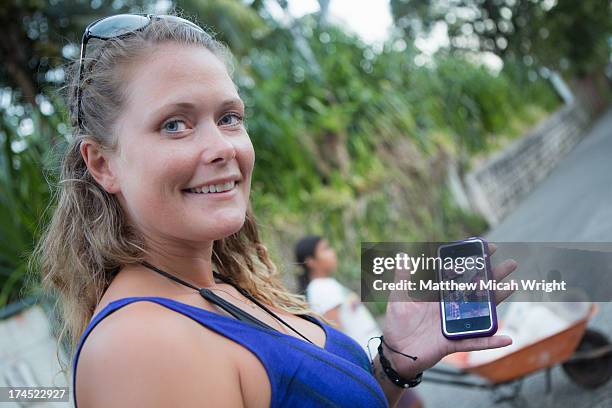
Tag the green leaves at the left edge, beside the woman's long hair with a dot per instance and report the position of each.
(24, 195)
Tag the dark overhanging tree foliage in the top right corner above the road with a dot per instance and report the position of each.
(565, 35)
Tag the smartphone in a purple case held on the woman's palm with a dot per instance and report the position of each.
(466, 310)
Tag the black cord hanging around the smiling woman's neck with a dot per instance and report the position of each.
(224, 304)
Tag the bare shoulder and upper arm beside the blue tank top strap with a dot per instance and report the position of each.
(144, 354)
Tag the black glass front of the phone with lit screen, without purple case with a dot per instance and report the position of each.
(465, 310)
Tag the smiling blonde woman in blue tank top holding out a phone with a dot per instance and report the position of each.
(153, 198)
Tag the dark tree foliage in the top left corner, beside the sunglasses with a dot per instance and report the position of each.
(35, 33)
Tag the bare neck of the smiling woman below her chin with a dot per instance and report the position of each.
(192, 263)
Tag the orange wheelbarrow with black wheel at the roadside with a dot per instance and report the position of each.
(585, 356)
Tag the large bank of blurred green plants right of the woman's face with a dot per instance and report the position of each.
(358, 152)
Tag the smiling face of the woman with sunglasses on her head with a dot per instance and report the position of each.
(184, 161)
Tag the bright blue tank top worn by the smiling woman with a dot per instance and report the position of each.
(301, 374)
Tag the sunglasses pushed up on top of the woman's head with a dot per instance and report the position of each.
(118, 26)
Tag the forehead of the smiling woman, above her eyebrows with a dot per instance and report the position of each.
(174, 72)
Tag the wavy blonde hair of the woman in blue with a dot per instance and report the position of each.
(88, 238)
